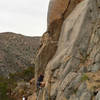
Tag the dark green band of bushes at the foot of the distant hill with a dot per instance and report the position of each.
(11, 83)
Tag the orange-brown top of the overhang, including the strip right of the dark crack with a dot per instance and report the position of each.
(57, 8)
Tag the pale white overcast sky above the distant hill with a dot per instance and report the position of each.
(27, 17)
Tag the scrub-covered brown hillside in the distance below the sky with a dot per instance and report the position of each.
(16, 52)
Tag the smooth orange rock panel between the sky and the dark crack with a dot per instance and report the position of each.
(56, 9)
